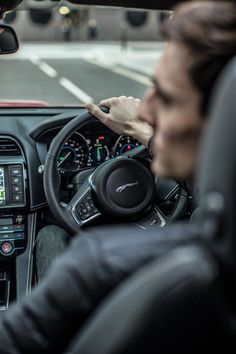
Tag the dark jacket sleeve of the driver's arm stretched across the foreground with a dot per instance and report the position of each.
(46, 320)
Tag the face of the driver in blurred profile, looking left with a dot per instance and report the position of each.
(172, 105)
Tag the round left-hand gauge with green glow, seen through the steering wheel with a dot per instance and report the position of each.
(74, 153)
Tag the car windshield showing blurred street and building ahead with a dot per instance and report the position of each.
(73, 55)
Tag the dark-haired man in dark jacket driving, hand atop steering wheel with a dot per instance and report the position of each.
(202, 40)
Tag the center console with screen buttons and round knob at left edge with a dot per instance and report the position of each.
(13, 224)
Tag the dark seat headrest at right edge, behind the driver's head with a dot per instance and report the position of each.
(217, 169)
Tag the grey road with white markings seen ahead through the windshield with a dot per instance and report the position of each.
(75, 74)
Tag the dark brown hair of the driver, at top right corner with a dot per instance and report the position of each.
(208, 29)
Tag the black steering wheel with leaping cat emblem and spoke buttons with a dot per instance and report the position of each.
(122, 187)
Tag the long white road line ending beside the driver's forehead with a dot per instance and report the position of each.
(132, 75)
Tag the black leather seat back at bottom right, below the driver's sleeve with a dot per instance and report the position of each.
(169, 306)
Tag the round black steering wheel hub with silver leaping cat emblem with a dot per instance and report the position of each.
(123, 186)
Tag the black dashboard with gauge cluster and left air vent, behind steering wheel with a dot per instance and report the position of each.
(32, 130)
